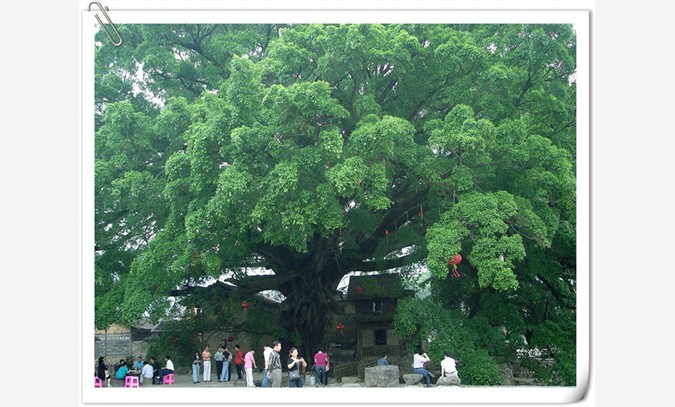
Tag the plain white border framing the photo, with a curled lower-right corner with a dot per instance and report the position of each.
(340, 395)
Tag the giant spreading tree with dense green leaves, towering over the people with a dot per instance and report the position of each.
(312, 151)
